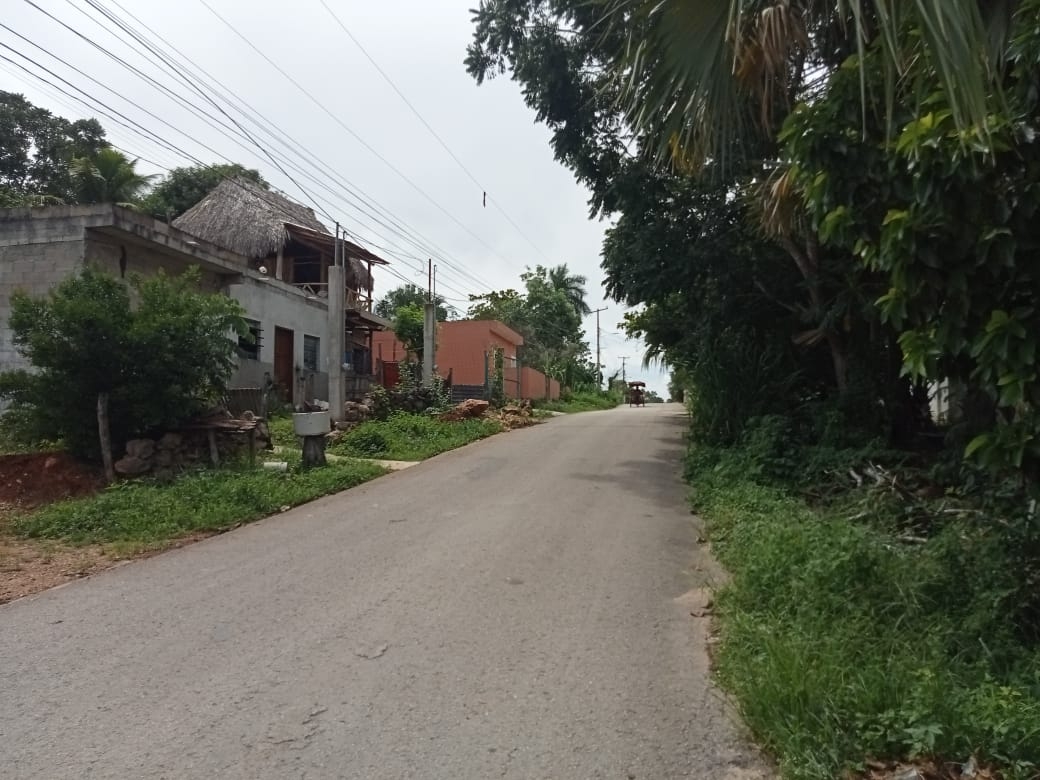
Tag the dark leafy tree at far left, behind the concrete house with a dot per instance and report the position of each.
(37, 148)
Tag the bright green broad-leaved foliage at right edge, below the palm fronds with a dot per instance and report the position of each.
(947, 214)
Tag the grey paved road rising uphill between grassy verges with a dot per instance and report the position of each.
(517, 609)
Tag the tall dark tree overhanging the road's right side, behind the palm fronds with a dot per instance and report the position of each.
(687, 242)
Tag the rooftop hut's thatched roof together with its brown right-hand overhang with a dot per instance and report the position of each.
(248, 220)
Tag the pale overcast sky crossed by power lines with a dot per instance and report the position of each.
(428, 204)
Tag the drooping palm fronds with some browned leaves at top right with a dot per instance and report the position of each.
(697, 72)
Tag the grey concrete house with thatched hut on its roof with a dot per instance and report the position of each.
(270, 254)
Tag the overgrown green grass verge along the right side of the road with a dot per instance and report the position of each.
(845, 639)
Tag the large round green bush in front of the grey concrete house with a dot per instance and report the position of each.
(162, 360)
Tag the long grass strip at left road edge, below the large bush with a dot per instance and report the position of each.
(207, 501)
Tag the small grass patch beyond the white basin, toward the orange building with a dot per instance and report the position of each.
(411, 437)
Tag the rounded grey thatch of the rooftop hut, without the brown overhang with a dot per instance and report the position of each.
(242, 217)
